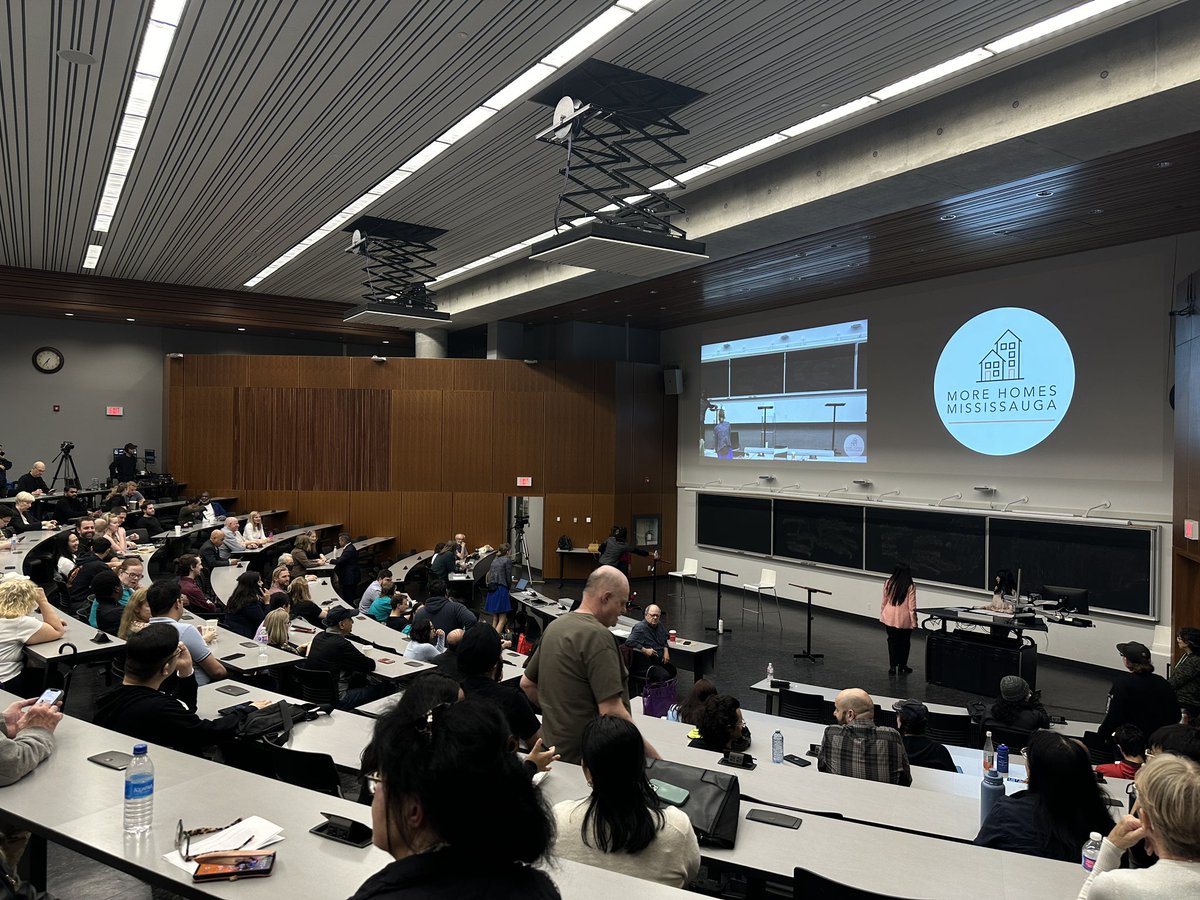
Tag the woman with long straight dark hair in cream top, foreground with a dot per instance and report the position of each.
(623, 826)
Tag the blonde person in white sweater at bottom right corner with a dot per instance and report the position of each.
(1169, 821)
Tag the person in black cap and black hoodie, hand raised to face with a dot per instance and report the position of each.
(140, 709)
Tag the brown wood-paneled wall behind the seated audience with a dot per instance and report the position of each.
(424, 448)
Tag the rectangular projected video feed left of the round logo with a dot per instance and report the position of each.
(797, 395)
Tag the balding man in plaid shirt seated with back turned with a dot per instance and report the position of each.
(859, 748)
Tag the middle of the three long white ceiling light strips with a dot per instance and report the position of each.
(523, 85)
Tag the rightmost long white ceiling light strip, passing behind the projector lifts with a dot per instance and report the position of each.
(1018, 39)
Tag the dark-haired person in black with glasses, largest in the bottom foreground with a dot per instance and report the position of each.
(467, 838)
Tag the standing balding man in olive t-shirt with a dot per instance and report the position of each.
(578, 674)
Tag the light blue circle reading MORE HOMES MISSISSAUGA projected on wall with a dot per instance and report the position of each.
(1004, 382)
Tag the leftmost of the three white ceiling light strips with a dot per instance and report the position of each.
(157, 44)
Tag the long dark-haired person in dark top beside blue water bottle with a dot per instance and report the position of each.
(1063, 806)
